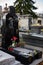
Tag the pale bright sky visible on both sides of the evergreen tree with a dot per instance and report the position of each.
(38, 4)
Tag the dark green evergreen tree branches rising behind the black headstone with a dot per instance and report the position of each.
(25, 7)
